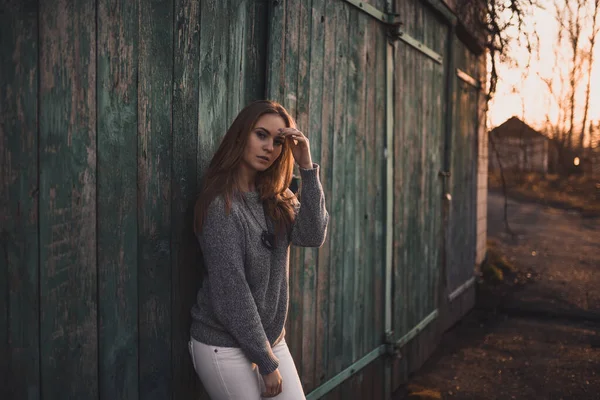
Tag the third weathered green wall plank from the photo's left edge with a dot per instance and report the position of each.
(117, 199)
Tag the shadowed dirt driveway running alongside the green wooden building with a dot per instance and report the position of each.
(536, 335)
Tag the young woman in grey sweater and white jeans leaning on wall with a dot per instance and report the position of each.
(245, 219)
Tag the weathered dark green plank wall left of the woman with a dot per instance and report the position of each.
(110, 112)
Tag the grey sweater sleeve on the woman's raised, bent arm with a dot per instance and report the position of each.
(310, 225)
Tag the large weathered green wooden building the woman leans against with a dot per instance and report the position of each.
(109, 114)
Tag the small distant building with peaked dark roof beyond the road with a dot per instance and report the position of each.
(519, 147)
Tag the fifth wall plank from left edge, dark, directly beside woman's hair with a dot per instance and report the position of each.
(185, 274)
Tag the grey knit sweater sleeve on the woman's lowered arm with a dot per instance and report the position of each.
(222, 242)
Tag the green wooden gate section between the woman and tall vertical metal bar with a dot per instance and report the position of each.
(327, 66)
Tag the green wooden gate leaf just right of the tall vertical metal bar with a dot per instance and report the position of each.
(419, 120)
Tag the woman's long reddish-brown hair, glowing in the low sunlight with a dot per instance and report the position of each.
(221, 177)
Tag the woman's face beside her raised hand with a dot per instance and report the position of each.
(264, 143)
